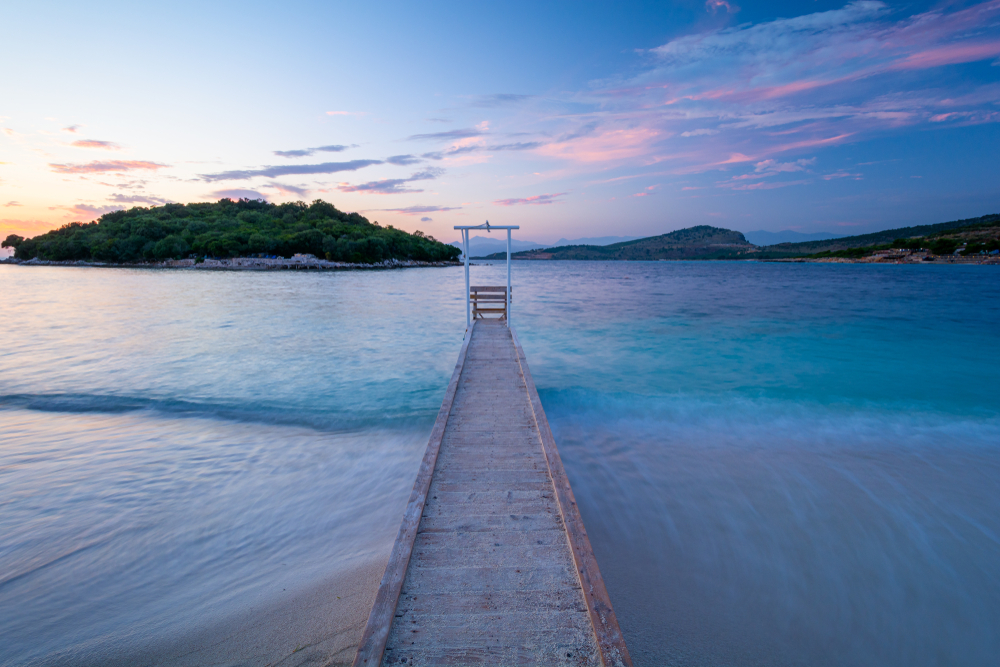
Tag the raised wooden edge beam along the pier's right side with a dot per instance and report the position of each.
(609, 636)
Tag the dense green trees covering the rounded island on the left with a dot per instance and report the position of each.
(230, 228)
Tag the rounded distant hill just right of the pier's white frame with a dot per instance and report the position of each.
(702, 242)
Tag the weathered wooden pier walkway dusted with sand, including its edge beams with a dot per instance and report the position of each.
(492, 564)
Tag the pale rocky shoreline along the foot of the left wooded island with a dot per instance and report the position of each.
(240, 264)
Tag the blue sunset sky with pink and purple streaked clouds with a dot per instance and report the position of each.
(569, 119)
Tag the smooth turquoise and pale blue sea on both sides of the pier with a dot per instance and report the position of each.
(778, 464)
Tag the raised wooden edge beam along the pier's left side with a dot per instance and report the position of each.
(376, 632)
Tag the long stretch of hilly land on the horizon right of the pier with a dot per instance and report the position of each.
(972, 240)
